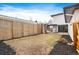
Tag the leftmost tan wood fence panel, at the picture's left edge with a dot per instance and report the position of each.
(5, 30)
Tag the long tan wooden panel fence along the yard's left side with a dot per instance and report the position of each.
(15, 29)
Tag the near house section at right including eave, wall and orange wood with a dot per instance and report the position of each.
(72, 17)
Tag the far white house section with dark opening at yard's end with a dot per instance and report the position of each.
(57, 23)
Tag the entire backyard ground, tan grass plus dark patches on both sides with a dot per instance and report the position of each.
(42, 44)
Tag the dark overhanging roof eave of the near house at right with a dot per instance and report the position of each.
(70, 10)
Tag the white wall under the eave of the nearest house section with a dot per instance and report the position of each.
(74, 19)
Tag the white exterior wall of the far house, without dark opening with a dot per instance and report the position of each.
(57, 19)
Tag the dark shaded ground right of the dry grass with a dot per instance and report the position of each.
(63, 49)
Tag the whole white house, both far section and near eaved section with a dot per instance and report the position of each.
(63, 22)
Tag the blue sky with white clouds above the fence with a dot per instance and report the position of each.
(32, 11)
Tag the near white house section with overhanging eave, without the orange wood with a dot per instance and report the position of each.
(71, 16)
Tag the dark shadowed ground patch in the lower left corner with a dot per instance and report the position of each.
(6, 49)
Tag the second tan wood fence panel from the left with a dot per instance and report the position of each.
(17, 29)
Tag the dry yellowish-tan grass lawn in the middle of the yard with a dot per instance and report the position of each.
(34, 45)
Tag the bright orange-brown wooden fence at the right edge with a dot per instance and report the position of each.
(76, 35)
